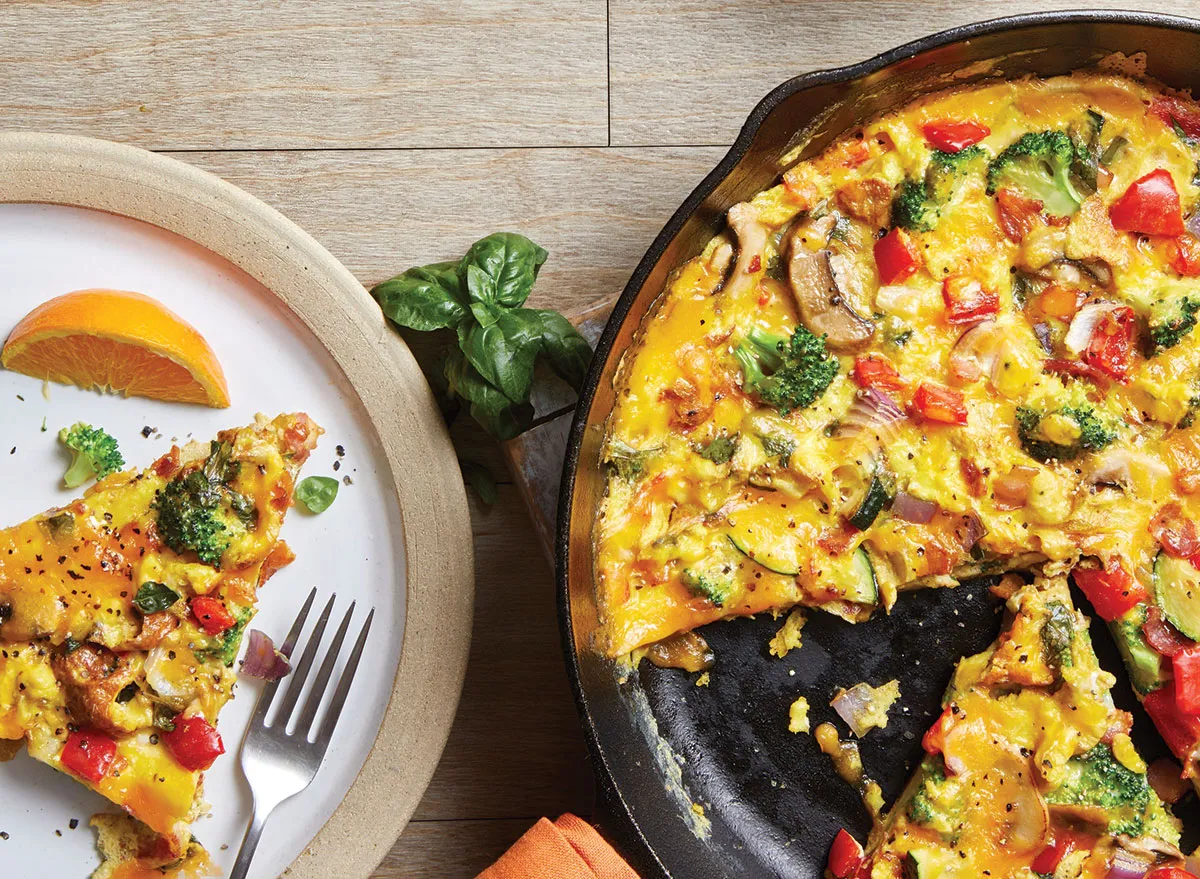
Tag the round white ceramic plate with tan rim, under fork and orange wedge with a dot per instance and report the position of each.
(359, 548)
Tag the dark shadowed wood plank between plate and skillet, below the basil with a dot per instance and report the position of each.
(517, 749)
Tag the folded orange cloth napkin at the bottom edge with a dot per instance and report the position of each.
(568, 848)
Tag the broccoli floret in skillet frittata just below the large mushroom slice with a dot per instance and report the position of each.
(785, 373)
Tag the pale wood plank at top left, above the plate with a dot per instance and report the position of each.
(256, 74)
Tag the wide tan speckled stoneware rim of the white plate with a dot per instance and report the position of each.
(130, 182)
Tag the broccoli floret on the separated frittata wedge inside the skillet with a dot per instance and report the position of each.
(1099, 779)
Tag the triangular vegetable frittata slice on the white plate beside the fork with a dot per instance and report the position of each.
(124, 611)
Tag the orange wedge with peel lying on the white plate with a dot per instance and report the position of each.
(116, 340)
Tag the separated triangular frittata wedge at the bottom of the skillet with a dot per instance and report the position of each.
(1030, 767)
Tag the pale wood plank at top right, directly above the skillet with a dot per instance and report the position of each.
(691, 71)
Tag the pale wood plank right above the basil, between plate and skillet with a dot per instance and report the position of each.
(381, 212)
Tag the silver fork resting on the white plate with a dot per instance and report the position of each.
(278, 764)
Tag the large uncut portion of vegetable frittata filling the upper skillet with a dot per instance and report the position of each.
(962, 339)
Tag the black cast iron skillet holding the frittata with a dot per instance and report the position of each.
(663, 746)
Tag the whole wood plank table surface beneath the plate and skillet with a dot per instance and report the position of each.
(400, 133)
